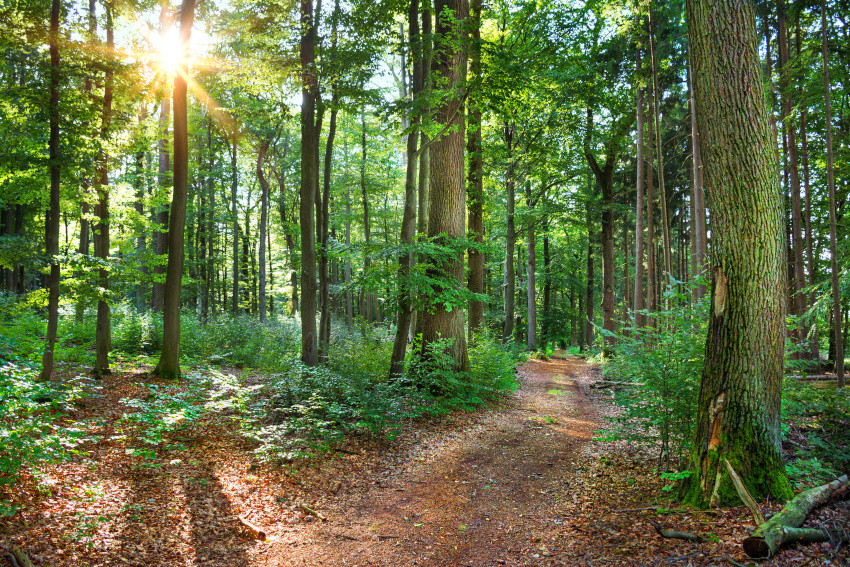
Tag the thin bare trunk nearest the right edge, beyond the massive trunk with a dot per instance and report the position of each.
(830, 173)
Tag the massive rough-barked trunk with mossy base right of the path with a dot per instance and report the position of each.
(740, 391)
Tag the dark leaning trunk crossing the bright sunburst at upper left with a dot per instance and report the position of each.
(169, 361)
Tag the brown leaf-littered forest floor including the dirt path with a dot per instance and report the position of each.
(520, 482)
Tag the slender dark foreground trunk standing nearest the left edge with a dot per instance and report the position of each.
(52, 224)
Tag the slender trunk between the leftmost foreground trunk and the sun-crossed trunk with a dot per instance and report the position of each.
(103, 330)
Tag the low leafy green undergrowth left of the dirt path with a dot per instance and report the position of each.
(235, 368)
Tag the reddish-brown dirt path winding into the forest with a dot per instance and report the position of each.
(481, 496)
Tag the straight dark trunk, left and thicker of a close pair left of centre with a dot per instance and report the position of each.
(309, 149)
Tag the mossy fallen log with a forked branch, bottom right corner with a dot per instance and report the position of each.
(784, 527)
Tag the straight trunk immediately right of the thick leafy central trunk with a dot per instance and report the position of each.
(476, 178)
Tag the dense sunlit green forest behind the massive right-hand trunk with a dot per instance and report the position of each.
(346, 180)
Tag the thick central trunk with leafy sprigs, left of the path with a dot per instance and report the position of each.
(447, 200)
